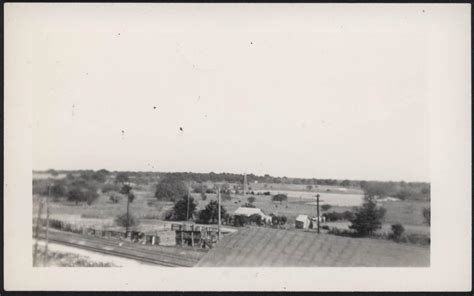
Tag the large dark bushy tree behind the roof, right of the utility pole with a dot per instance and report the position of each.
(367, 218)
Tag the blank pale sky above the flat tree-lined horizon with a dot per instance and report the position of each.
(288, 92)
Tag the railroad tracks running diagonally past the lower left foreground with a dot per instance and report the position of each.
(187, 258)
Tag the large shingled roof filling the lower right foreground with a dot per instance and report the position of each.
(268, 247)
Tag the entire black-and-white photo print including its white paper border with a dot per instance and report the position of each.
(252, 136)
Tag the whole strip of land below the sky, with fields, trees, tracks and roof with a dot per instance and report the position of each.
(109, 218)
